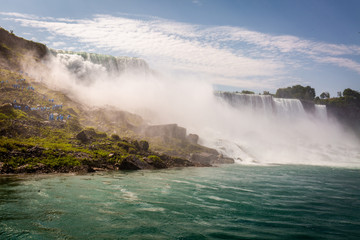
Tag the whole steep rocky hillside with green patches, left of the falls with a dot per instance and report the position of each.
(44, 130)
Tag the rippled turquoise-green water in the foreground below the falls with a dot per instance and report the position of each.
(228, 202)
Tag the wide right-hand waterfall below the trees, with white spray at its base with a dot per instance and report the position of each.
(259, 129)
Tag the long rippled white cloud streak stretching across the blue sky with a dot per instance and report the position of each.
(225, 54)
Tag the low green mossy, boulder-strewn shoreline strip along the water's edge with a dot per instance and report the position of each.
(92, 151)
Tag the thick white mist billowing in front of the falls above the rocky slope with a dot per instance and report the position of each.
(250, 136)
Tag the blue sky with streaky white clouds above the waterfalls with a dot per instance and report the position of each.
(255, 45)
